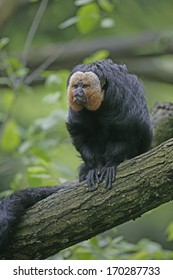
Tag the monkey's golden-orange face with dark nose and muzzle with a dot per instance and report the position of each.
(84, 91)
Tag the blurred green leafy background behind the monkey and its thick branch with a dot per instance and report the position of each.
(40, 42)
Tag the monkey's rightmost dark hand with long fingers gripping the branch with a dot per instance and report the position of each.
(109, 174)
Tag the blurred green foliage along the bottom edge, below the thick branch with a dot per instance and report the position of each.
(105, 247)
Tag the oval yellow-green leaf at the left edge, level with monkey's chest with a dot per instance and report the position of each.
(10, 137)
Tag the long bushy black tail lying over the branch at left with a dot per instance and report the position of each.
(15, 205)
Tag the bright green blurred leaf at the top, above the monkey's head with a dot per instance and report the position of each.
(88, 18)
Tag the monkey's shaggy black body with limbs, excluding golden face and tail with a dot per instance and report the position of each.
(120, 129)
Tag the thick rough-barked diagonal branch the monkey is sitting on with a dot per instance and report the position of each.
(74, 214)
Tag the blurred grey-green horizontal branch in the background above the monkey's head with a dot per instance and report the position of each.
(141, 53)
